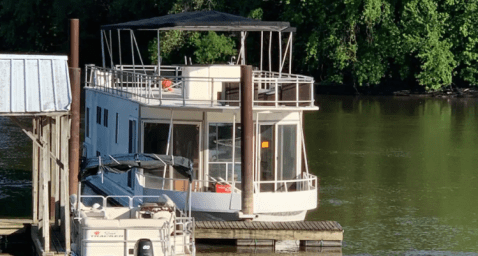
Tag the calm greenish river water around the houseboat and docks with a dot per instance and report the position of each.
(399, 174)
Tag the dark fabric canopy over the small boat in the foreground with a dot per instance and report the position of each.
(125, 162)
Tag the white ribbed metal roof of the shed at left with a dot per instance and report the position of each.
(34, 84)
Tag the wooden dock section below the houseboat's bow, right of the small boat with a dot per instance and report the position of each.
(310, 233)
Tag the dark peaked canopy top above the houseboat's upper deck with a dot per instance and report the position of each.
(202, 21)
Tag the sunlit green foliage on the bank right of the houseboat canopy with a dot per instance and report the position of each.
(431, 42)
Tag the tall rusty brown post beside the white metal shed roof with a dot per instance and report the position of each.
(75, 74)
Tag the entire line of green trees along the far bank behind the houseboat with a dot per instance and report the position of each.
(428, 44)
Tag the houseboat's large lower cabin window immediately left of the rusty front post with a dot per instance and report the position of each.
(221, 152)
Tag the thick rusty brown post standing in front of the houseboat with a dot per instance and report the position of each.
(247, 127)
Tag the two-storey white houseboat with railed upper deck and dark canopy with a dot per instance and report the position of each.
(193, 111)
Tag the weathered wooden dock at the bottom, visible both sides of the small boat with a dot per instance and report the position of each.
(256, 233)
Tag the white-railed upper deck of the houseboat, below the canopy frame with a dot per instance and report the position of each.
(201, 86)
